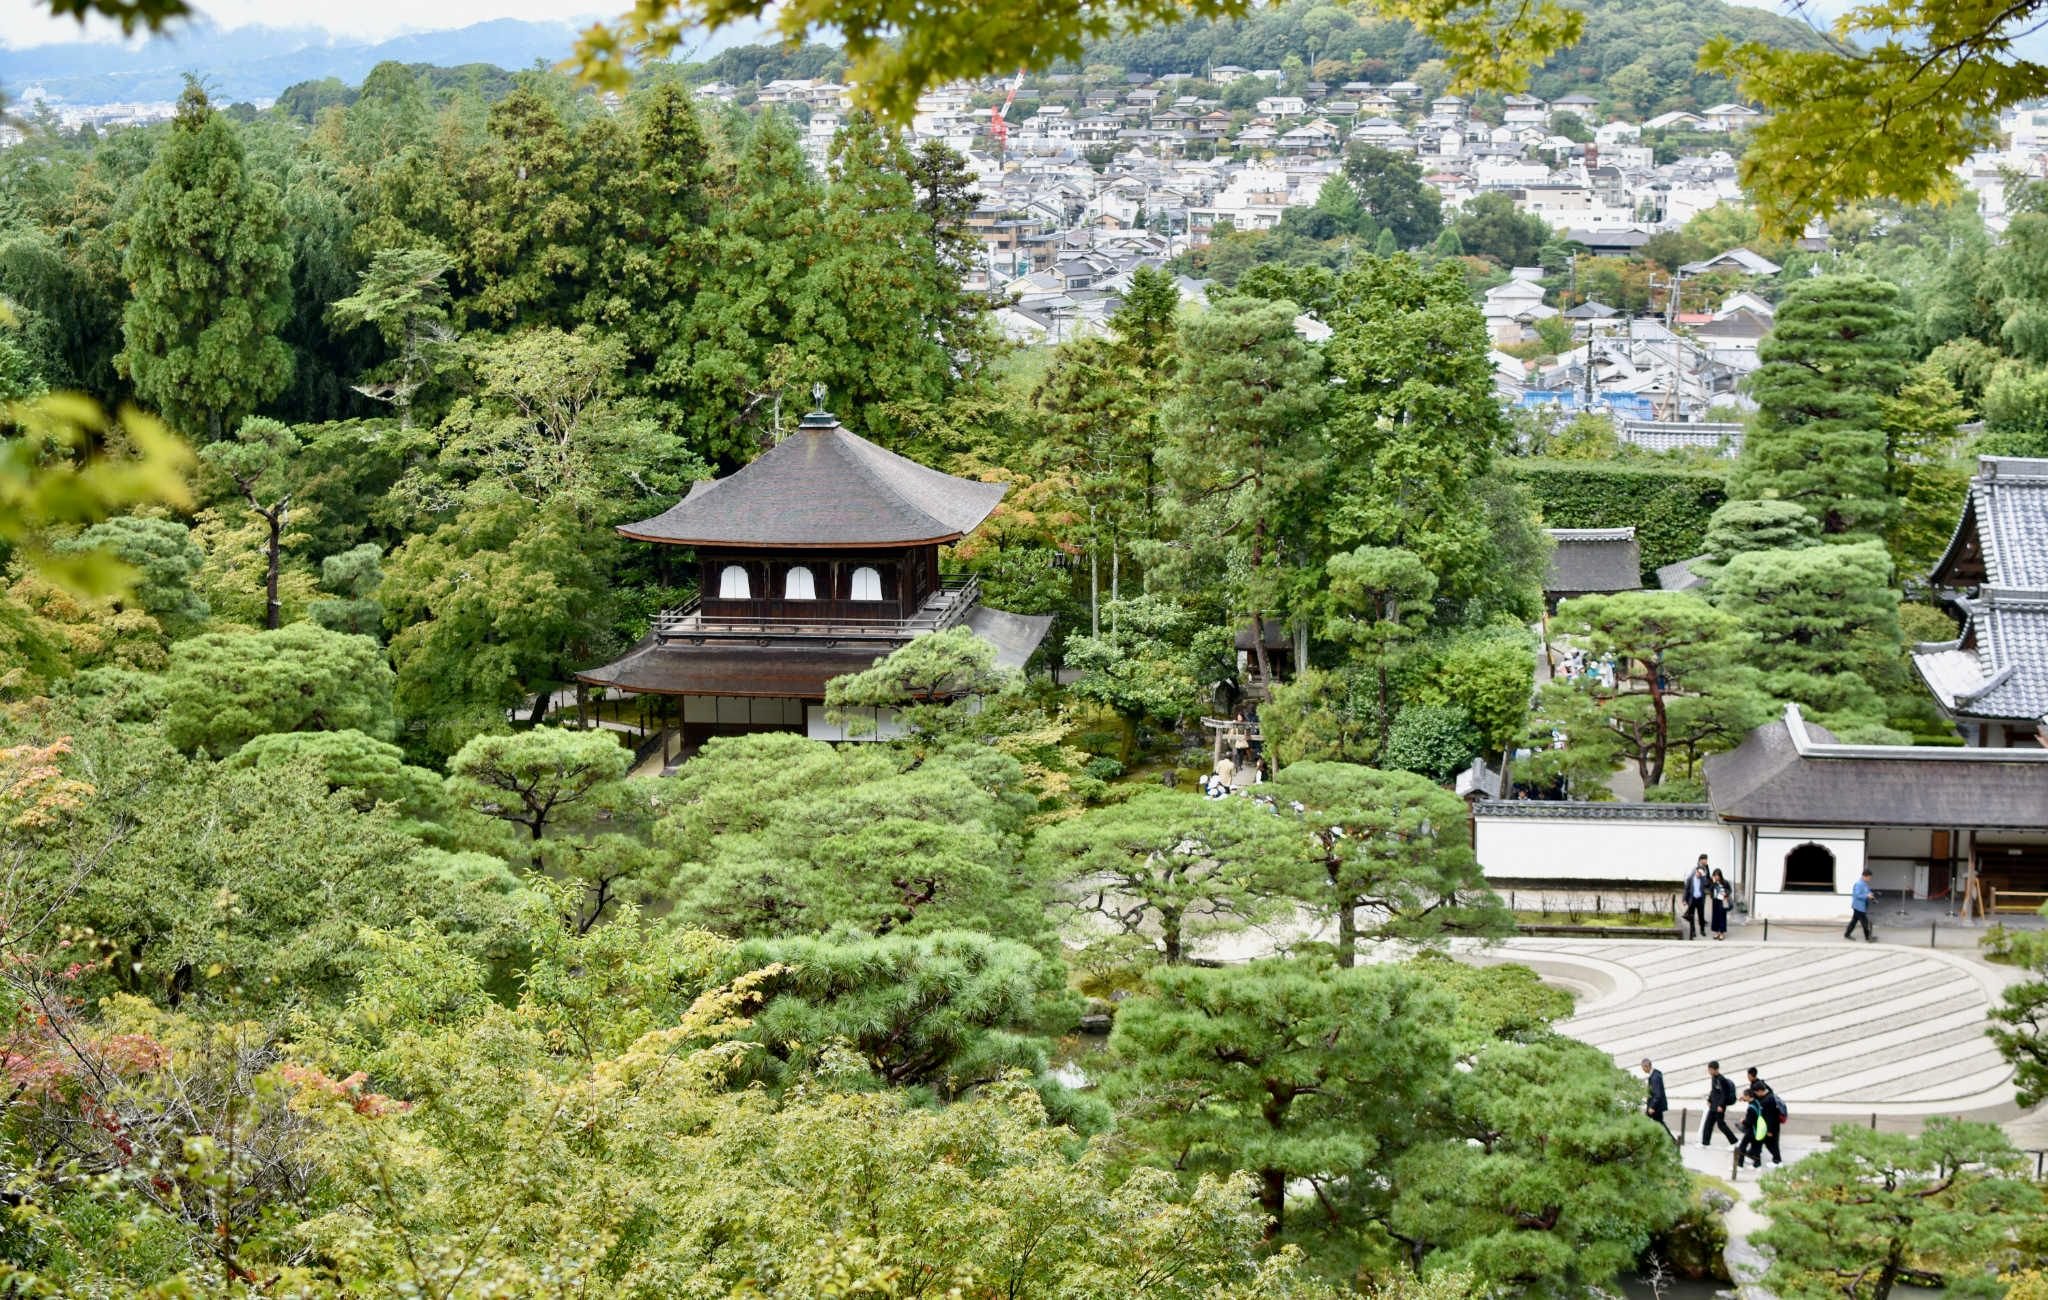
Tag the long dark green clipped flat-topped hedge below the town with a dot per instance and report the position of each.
(1668, 507)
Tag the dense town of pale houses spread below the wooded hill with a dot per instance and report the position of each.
(1080, 185)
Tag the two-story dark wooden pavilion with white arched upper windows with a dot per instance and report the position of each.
(814, 562)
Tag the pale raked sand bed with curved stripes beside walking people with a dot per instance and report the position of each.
(1840, 1029)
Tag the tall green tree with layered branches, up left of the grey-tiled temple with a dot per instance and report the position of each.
(1836, 355)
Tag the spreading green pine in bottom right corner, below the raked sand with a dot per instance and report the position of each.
(1877, 1209)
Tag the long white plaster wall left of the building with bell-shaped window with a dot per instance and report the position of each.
(1545, 849)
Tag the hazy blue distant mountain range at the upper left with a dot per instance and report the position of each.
(259, 62)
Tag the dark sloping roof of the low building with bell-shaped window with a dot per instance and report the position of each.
(1797, 775)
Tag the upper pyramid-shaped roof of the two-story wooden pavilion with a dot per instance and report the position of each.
(824, 486)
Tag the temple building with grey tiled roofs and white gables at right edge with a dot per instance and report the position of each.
(1992, 681)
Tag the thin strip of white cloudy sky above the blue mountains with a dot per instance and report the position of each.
(26, 24)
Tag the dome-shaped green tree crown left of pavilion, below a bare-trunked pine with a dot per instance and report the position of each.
(226, 689)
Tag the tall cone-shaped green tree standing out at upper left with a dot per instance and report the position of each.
(210, 271)
